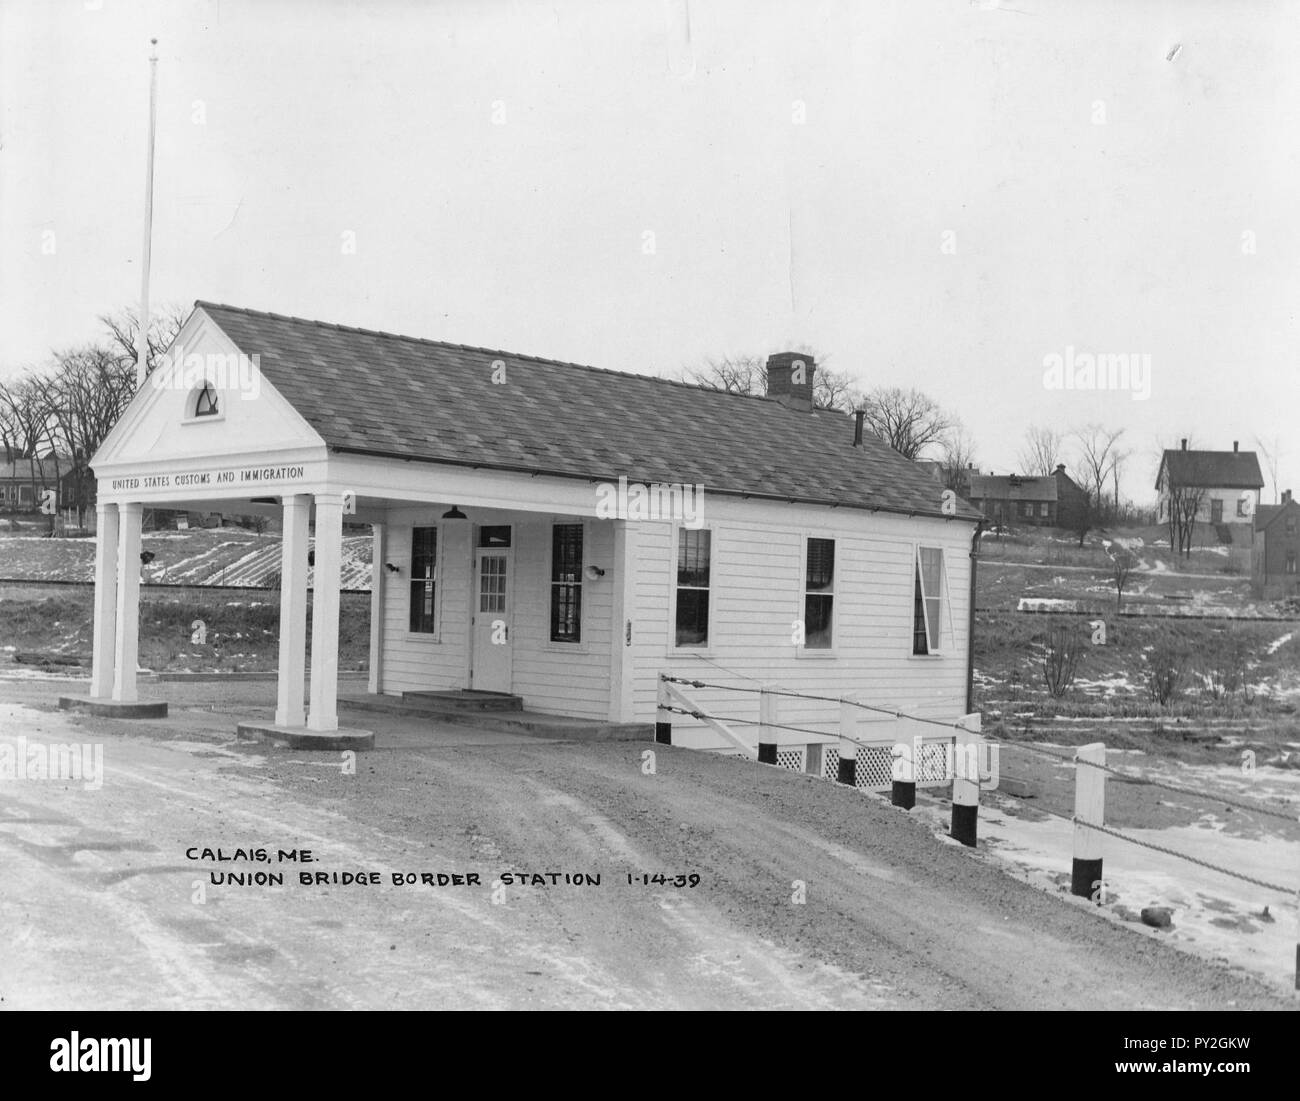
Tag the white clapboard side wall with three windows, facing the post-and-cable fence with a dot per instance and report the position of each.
(757, 596)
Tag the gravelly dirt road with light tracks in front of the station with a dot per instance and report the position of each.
(101, 903)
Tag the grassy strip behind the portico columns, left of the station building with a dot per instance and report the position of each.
(241, 632)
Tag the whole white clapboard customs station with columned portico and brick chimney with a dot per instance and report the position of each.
(561, 534)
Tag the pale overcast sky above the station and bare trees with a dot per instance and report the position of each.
(930, 193)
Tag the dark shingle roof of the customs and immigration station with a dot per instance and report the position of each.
(384, 395)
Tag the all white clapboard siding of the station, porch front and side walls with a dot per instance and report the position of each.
(756, 599)
